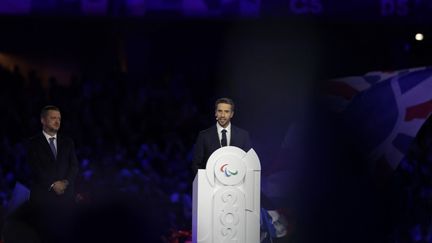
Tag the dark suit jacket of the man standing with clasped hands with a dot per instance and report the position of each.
(45, 169)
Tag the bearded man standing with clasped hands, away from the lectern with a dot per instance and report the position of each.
(53, 162)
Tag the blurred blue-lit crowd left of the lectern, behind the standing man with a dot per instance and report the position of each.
(134, 138)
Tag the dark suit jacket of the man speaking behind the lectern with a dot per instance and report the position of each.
(208, 142)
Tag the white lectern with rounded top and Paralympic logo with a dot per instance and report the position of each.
(226, 198)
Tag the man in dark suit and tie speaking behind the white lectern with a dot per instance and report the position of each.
(223, 133)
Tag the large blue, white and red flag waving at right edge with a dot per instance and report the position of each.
(387, 109)
